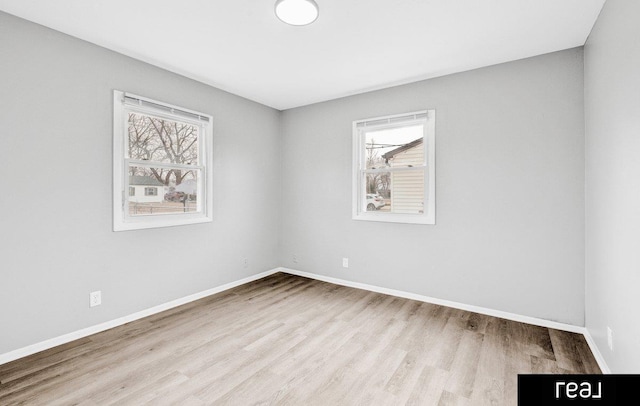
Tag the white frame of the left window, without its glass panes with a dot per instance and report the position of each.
(123, 104)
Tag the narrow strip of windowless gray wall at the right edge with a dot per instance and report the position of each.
(612, 110)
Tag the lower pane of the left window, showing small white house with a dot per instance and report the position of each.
(162, 191)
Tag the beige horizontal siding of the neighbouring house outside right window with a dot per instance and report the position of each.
(407, 187)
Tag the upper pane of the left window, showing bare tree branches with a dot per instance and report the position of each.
(161, 140)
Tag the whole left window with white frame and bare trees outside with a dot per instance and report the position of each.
(166, 151)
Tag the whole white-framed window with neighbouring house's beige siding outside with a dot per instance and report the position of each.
(394, 168)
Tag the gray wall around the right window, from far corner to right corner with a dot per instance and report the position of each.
(510, 191)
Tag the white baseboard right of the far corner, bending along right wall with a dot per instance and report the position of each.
(476, 309)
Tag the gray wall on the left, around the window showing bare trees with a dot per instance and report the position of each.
(55, 206)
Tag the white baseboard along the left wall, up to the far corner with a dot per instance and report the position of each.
(63, 339)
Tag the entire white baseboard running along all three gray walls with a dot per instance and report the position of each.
(66, 338)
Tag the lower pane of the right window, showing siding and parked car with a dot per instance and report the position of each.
(395, 191)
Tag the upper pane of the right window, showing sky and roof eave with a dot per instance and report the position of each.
(395, 147)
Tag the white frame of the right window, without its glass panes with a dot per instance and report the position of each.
(359, 192)
